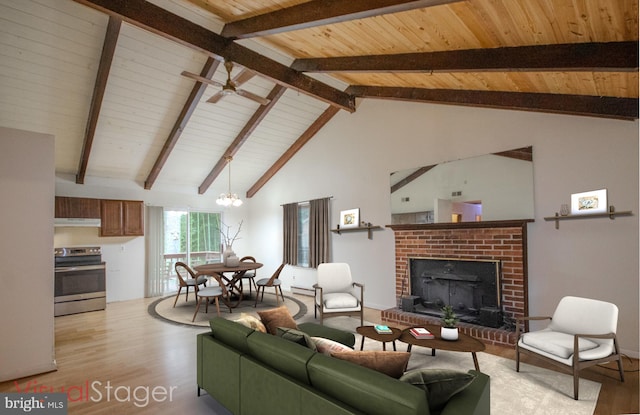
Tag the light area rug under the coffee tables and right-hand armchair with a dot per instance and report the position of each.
(532, 391)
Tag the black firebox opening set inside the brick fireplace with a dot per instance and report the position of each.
(471, 287)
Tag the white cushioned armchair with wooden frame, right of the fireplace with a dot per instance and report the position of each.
(581, 333)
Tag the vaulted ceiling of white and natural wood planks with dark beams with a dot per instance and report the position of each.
(132, 90)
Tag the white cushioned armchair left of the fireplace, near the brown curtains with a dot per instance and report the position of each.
(335, 293)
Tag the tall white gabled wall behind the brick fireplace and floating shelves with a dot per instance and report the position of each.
(351, 159)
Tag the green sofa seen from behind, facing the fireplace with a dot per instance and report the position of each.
(254, 373)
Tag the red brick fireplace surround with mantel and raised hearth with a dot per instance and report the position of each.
(504, 241)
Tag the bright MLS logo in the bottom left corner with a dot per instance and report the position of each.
(33, 403)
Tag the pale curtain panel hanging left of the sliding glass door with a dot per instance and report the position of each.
(155, 251)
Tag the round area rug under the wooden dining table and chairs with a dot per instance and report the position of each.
(183, 312)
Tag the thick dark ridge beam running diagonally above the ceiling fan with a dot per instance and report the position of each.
(157, 20)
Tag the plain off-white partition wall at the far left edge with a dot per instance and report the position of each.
(26, 253)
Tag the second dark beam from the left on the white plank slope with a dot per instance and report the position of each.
(188, 108)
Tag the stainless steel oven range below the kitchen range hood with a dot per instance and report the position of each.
(80, 280)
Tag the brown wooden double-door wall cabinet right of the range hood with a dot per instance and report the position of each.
(122, 218)
